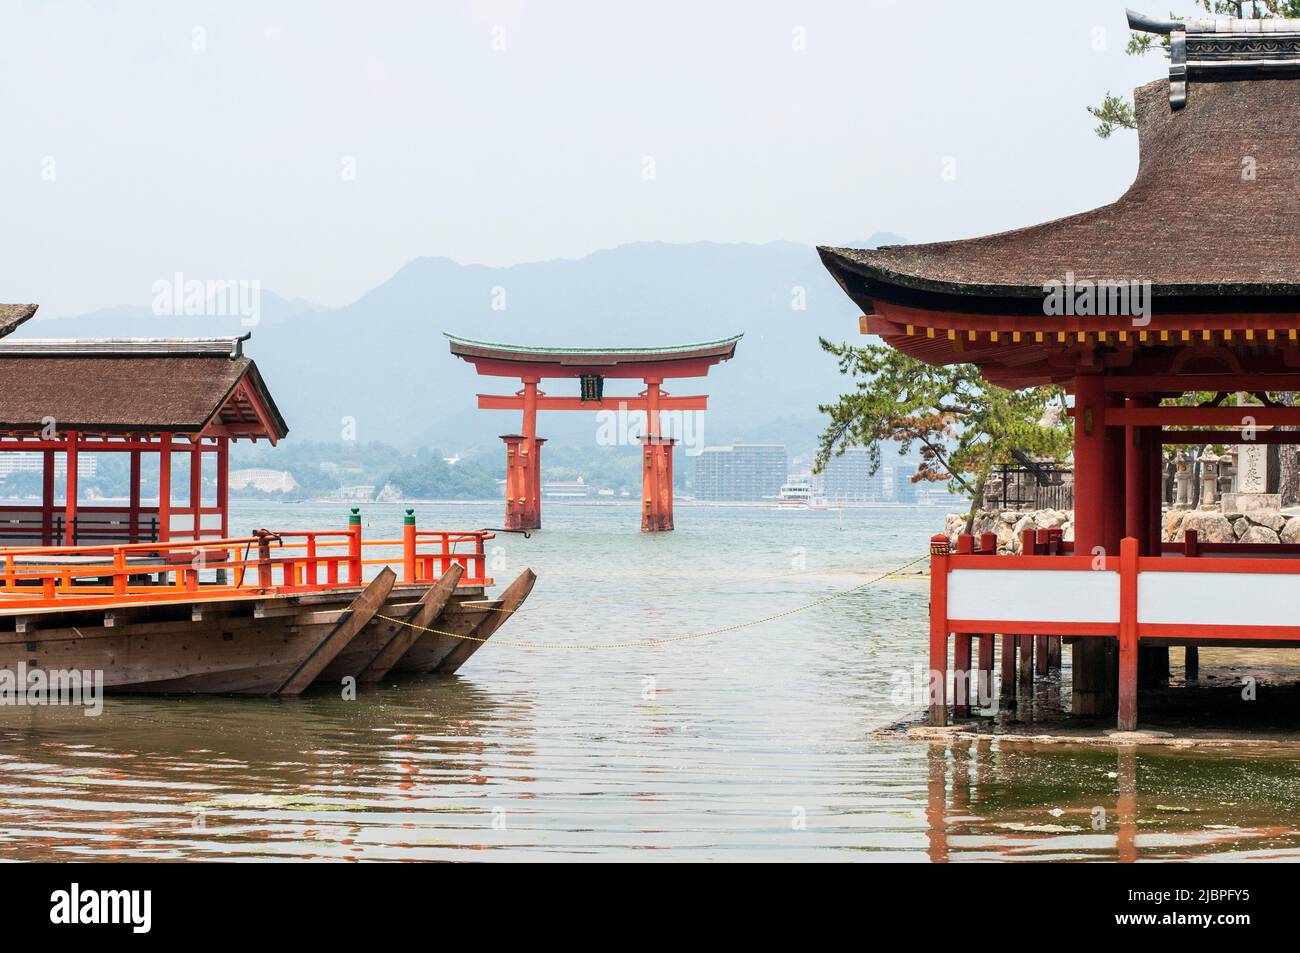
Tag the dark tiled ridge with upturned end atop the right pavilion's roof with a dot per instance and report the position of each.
(1224, 49)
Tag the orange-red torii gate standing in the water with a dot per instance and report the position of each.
(591, 366)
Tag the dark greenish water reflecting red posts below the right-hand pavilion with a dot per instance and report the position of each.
(990, 800)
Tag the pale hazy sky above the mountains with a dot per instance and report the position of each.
(318, 148)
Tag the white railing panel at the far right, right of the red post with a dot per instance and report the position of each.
(1219, 599)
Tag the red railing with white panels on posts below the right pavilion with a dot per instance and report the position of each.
(1191, 595)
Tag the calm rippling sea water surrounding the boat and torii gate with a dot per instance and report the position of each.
(749, 746)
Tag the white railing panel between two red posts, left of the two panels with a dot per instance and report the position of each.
(1034, 595)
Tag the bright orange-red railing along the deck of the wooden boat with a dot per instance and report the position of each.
(265, 564)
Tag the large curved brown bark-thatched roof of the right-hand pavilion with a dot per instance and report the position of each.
(1211, 222)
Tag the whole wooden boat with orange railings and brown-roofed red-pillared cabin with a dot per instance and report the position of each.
(159, 597)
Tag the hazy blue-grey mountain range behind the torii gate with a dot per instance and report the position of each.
(383, 359)
